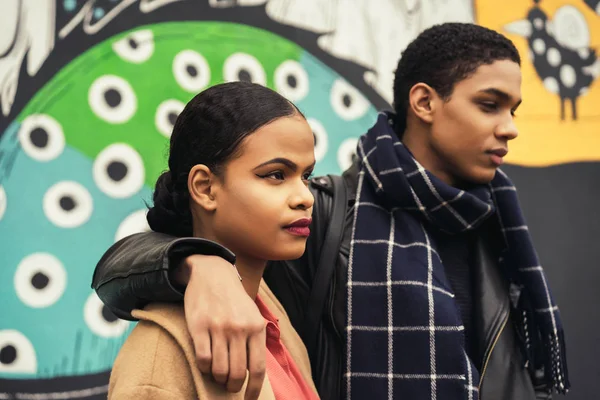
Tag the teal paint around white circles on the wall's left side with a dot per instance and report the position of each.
(64, 344)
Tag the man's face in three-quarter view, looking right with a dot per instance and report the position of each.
(470, 132)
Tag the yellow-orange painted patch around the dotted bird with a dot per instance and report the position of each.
(544, 139)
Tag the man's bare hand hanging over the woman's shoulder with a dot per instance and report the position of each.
(226, 327)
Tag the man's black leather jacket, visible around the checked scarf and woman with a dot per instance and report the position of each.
(134, 272)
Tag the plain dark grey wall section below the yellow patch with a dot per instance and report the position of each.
(561, 207)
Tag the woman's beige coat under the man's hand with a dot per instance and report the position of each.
(157, 361)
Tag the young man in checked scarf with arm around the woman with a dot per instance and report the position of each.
(436, 293)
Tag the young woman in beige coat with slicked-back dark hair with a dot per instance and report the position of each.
(239, 163)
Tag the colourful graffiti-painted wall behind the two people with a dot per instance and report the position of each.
(90, 90)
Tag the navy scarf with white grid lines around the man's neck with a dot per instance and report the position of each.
(405, 338)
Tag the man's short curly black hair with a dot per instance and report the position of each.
(444, 55)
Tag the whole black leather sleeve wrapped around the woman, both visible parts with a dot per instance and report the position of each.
(135, 270)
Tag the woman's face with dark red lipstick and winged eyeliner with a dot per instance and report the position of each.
(264, 190)
